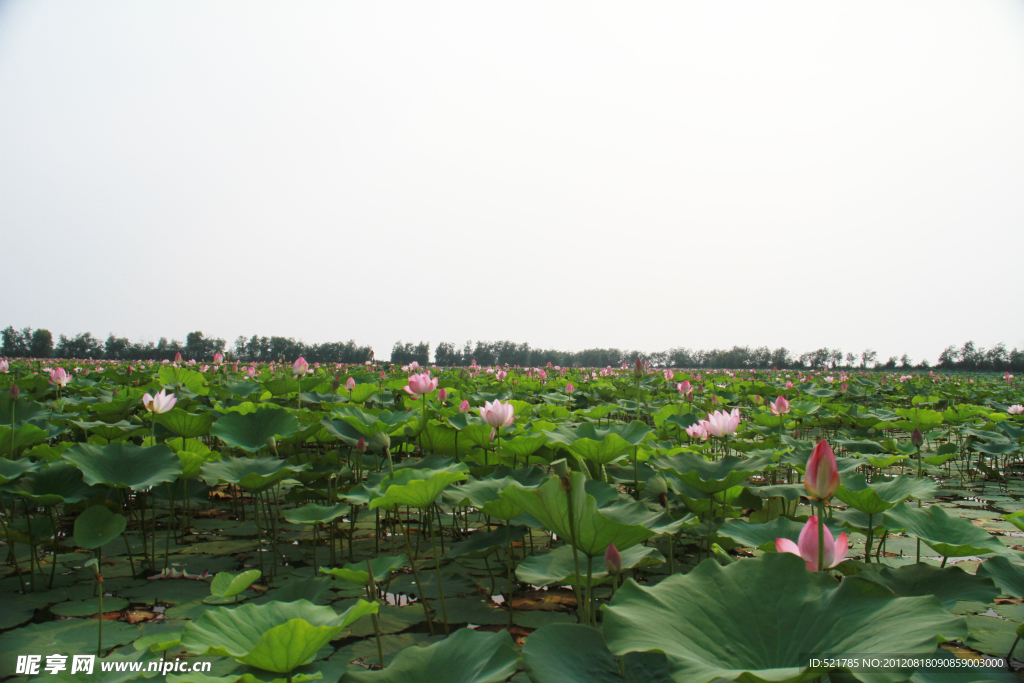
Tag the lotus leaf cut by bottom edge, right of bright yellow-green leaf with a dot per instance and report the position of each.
(465, 657)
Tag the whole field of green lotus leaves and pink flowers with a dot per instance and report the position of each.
(372, 523)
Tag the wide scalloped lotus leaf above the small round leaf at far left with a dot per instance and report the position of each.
(125, 465)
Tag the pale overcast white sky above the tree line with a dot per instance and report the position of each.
(569, 175)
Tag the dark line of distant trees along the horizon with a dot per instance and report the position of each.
(40, 345)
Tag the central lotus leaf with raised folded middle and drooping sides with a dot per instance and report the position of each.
(594, 531)
